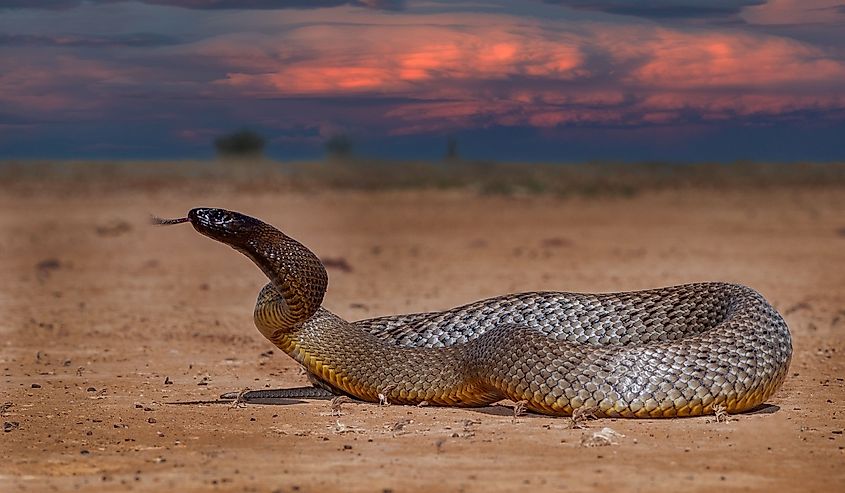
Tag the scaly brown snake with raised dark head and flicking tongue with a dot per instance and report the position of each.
(685, 350)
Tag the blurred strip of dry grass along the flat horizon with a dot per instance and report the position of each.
(591, 179)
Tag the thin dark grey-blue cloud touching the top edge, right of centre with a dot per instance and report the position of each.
(662, 9)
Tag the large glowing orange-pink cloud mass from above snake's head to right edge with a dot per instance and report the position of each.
(497, 69)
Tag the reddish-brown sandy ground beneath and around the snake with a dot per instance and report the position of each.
(106, 321)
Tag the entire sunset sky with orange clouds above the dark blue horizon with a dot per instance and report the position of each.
(687, 80)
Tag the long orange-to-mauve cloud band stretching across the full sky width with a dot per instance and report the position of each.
(449, 71)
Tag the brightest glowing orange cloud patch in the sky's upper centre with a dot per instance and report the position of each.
(397, 59)
